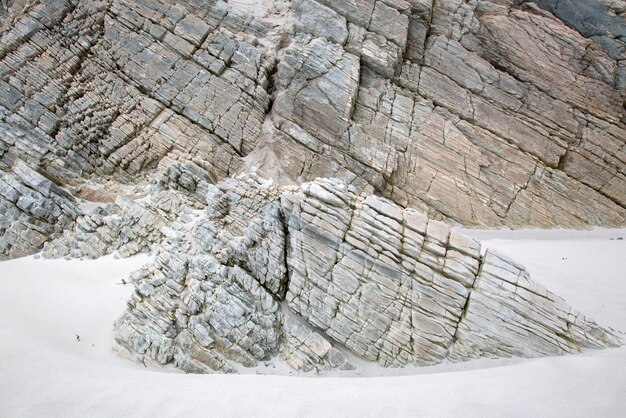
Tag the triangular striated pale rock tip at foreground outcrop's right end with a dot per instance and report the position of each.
(508, 315)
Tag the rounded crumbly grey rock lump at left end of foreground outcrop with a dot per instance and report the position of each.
(191, 309)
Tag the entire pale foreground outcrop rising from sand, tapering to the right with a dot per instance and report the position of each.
(354, 272)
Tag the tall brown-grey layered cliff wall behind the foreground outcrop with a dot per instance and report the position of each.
(488, 113)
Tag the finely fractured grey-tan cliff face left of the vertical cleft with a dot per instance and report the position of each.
(138, 80)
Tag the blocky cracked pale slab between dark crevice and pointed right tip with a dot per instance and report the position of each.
(371, 275)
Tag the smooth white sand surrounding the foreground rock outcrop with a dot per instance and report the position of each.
(44, 371)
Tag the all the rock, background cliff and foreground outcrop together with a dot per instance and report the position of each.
(132, 125)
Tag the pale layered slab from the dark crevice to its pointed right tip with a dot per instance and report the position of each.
(397, 288)
